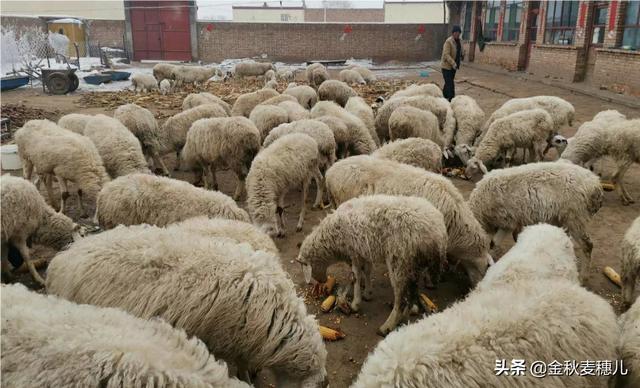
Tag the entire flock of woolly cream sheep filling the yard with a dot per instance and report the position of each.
(181, 272)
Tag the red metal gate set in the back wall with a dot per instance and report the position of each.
(161, 30)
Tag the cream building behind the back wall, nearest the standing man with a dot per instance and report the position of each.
(427, 12)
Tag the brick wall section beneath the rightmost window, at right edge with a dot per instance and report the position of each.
(618, 70)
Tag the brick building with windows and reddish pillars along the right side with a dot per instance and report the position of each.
(576, 41)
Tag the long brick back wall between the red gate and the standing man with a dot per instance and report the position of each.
(309, 41)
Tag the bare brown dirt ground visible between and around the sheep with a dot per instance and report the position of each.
(345, 357)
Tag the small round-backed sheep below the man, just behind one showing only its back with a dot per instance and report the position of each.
(407, 121)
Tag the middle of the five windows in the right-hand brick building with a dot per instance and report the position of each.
(560, 23)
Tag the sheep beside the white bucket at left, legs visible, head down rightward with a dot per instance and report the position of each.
(55, 152)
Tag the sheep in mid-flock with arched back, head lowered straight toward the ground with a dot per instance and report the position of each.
(287, 163)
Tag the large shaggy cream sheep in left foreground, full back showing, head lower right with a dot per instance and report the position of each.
(239, 302)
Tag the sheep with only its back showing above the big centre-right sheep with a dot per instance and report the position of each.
(418, 152)
